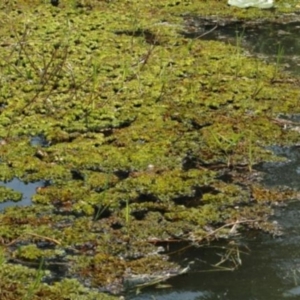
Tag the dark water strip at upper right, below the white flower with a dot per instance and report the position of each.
(276, 42)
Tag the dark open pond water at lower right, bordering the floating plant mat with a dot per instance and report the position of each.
(270, 265)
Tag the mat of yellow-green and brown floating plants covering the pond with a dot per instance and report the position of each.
(142, 134)
